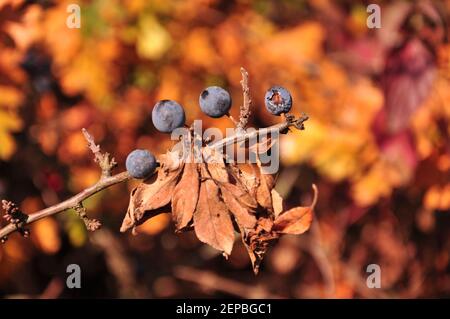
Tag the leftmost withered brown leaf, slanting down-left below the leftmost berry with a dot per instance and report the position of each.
(150, 195)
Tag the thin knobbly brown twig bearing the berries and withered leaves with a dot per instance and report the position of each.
(107, 163)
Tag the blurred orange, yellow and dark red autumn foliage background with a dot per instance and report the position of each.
(377, 143)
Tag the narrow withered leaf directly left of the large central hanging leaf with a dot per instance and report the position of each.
(185, 196)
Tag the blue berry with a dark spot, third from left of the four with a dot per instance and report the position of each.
(215, 101)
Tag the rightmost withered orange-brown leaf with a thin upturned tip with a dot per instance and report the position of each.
(296, 220)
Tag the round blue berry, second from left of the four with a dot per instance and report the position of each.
(168, 115)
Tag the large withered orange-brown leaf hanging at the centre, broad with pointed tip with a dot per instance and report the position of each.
(212, 221)
